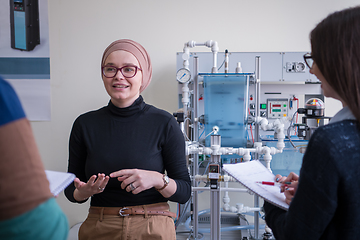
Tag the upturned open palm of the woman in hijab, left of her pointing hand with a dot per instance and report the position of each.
(93, 186)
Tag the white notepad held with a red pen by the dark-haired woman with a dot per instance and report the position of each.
(249, 173)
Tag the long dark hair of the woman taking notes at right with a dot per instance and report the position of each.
(335, 46)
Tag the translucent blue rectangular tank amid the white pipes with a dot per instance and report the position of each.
(225, 106)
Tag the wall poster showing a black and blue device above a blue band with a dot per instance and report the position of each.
(24, 54)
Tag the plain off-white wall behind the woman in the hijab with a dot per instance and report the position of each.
(80, 30)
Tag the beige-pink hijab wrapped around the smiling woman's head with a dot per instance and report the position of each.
(138, 51)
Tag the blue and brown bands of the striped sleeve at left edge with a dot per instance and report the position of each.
(23, 182)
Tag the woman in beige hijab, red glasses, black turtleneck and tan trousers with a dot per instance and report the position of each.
(120, 153)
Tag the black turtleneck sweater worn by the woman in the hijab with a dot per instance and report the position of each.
(140, 136)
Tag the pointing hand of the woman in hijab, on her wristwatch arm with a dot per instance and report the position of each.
(137, 180)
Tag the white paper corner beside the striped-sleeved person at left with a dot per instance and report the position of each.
(59, 180)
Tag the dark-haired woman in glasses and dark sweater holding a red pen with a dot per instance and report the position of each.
(325, 198)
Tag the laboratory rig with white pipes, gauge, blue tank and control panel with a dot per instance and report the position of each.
(237, 113)
